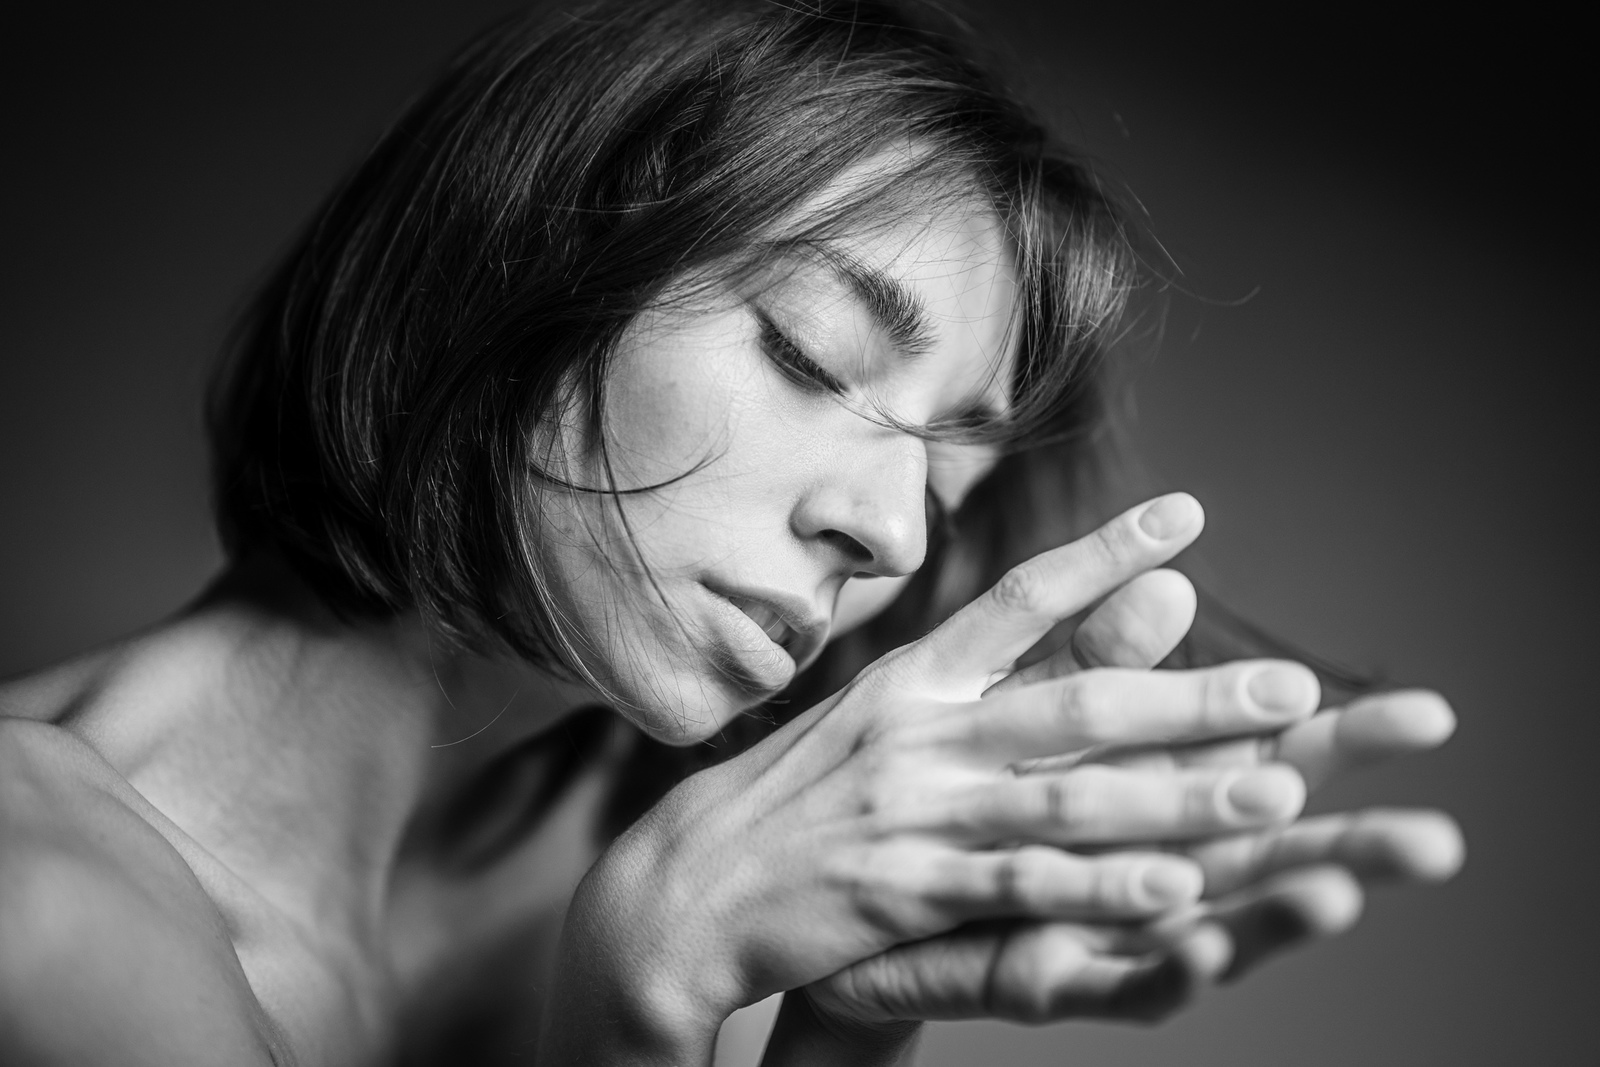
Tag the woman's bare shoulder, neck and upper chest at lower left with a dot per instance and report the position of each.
(250, 841)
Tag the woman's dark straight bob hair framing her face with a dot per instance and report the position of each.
(377, 422)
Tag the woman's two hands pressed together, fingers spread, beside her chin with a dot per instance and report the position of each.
(1084, 837)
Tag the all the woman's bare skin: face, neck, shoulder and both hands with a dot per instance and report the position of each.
(225, 839)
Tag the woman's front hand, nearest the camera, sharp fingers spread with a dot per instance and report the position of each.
(894, 813)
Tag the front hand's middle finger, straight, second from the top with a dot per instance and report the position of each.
(1129, 708)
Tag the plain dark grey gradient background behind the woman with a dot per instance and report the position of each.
(1394, 434)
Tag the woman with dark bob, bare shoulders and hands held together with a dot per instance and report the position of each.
(663, 353)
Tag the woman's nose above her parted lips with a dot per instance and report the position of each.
(871, 508)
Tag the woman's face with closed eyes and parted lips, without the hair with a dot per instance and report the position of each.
(790, 513)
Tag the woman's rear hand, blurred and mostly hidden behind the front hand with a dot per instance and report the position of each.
(1265, 890)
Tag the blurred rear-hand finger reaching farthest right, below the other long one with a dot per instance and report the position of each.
(1375, 845)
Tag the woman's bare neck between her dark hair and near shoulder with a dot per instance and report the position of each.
(297, 748)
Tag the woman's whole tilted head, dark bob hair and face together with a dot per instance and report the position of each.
(697, 313)
